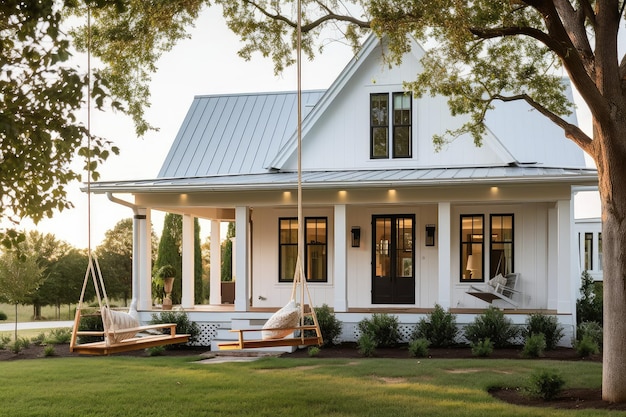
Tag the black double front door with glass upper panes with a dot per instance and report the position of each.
(393, 275)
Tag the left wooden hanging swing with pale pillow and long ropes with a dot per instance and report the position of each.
(121, 331)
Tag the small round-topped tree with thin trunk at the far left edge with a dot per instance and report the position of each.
(20, 275)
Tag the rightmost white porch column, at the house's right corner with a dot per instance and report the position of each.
(567, 303)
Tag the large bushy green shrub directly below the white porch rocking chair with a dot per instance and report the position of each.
(492, 325)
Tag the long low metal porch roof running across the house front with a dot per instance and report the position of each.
(355, 179)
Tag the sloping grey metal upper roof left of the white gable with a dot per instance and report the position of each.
(234, 133)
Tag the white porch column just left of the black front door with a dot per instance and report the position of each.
(340, 272)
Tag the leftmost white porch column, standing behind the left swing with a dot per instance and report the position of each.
(142, 264)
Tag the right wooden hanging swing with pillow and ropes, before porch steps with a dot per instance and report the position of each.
(287, 326)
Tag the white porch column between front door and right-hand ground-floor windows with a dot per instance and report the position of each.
(444, 255)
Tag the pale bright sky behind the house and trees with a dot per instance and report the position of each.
(205, 64)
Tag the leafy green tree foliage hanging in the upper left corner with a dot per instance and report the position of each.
(40, 129)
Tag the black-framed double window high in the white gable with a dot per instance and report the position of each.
(401, 115)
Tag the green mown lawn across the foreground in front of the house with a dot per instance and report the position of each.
(177, 386)
